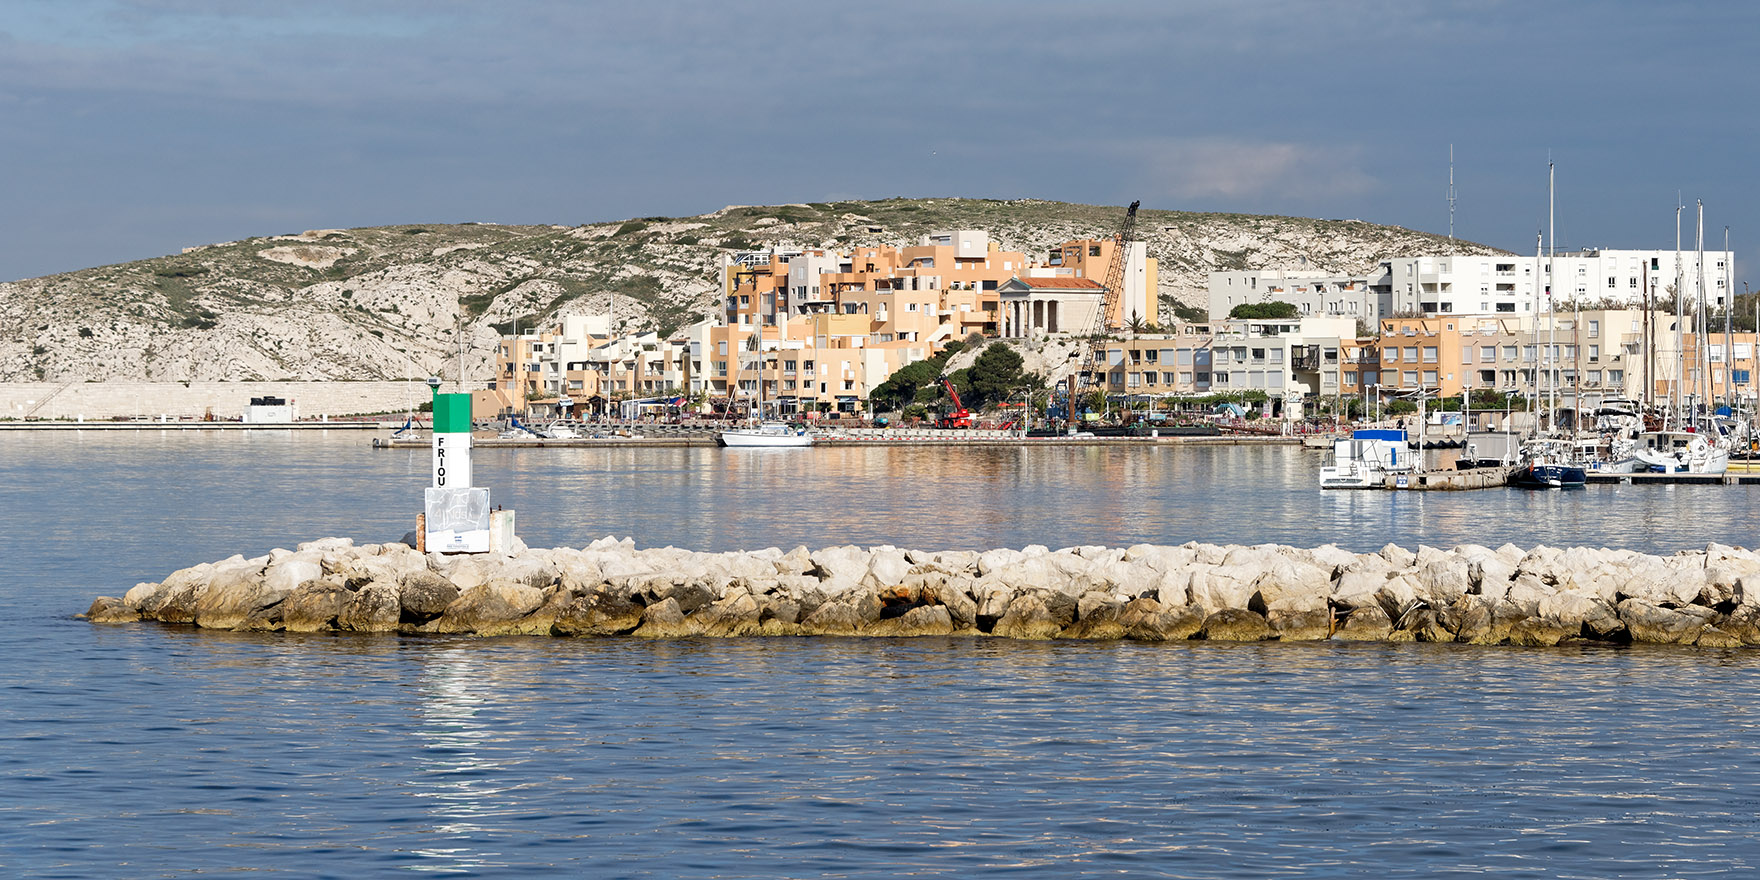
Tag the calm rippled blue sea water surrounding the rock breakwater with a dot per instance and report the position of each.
(172, 752)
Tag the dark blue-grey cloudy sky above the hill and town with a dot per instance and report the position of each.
(138, 128)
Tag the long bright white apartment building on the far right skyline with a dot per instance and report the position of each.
(1507, 284)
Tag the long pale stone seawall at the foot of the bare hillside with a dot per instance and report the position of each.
(226, 400)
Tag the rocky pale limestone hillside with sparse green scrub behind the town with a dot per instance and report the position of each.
(390, 302)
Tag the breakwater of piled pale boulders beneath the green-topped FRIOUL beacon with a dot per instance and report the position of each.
(1470, 594)
